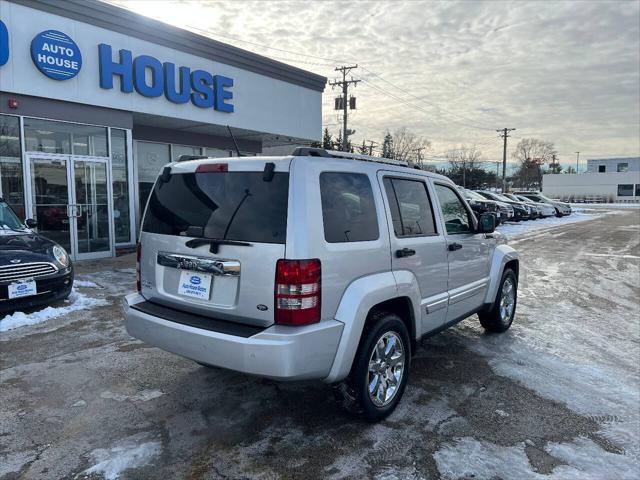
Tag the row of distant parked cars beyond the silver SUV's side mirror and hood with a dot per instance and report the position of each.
(517, 206)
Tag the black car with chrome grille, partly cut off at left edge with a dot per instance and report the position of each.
(33, 269)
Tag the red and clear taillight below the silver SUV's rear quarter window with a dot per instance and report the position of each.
(297, 292)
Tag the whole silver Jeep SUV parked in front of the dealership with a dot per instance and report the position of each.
(319, 265)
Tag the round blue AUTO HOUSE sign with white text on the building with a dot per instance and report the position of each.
(56, 55)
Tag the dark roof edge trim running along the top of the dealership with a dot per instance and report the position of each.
(123, 21)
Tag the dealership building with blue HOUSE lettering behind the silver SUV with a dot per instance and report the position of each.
(94, 99)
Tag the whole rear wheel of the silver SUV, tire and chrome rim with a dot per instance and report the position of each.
(380, 369)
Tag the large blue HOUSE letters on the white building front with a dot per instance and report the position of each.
(151, 78)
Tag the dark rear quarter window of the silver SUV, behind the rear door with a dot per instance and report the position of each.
(348, 208)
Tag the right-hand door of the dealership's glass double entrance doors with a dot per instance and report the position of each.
(90, 208)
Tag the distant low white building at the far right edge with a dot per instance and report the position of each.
(606, 180)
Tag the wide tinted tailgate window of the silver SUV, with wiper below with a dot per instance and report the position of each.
(223, 205)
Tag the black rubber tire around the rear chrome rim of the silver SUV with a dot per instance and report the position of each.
(353, 392)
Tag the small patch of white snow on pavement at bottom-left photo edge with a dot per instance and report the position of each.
(132, 452)
